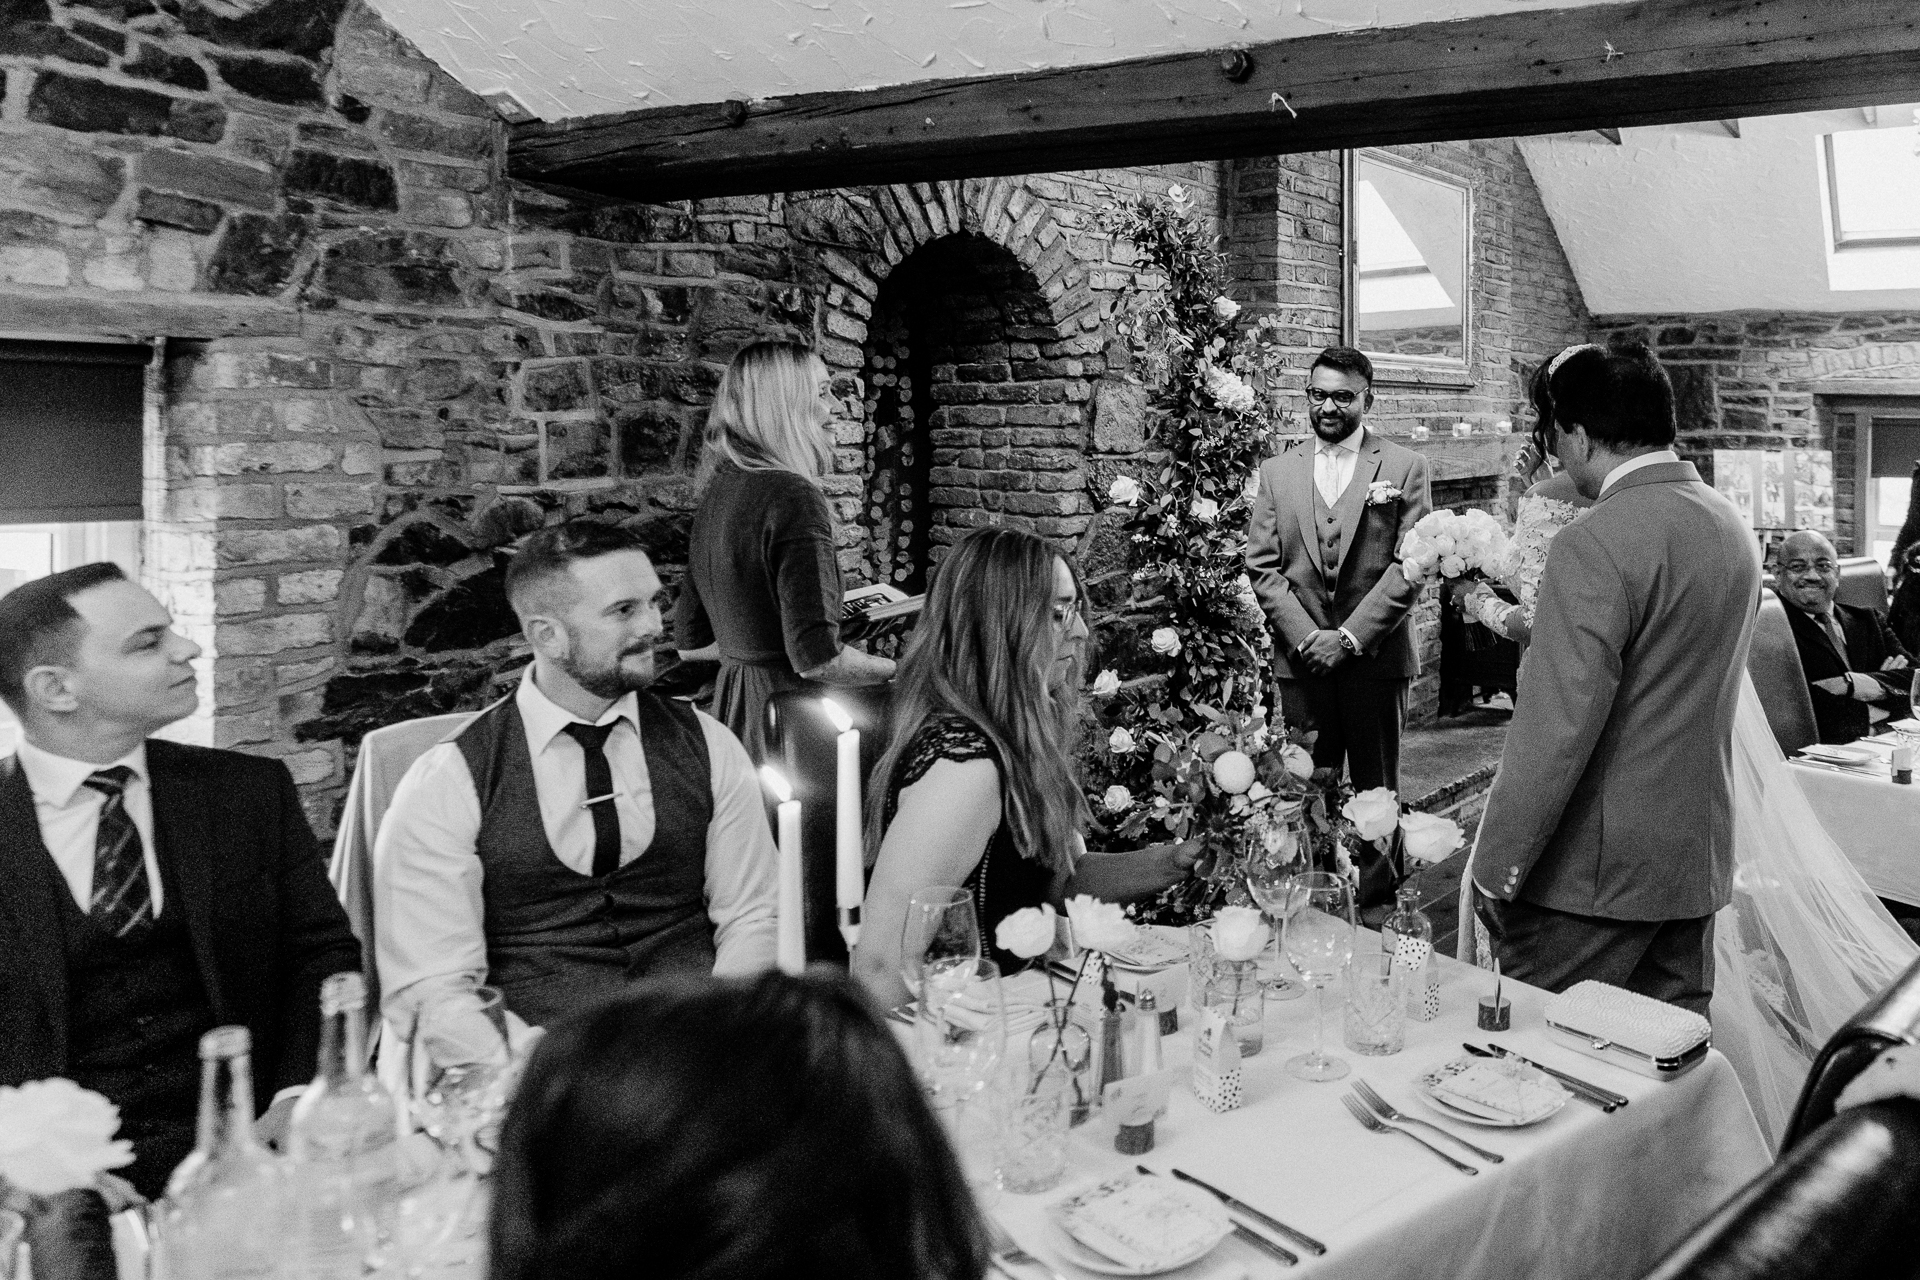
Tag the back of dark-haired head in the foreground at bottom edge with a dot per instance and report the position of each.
(708, 1129)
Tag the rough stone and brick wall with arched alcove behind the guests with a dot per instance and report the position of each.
(385, 362)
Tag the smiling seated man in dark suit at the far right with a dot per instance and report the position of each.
(1858, 671)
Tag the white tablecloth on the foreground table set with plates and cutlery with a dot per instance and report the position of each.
(1581, 1195)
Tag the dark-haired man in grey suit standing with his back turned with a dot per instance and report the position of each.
(1608, 841)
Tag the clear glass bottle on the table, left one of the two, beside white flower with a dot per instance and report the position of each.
(224, 1216)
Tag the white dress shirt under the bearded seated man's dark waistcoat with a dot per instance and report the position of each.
(427, 878)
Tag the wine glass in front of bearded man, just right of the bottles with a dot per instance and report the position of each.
(460, 1066)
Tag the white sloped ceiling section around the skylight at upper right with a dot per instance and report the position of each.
(1687, 218)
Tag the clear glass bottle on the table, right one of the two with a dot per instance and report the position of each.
(345, 1147)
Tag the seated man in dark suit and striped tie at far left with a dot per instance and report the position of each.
(149, 891)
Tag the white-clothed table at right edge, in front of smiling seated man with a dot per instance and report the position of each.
(1875, 820)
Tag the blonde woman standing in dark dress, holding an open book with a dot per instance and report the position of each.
(763, 582)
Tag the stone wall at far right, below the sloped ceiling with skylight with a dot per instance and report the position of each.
(1779, 381)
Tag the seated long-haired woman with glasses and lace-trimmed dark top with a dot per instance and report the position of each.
(978, 786)
